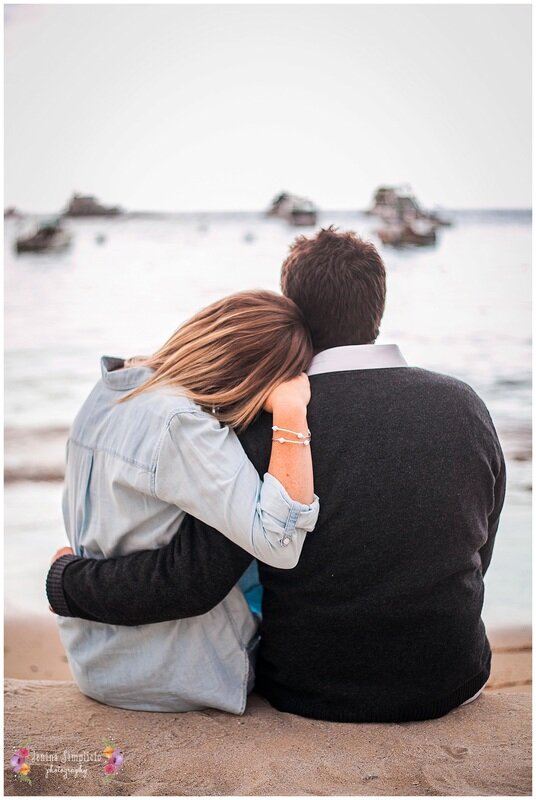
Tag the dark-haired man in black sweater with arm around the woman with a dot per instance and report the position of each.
(381, 619)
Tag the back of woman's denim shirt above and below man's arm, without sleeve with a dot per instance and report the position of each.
(110, 509)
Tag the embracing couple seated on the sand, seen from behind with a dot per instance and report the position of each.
(191, 469)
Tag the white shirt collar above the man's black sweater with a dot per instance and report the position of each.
(357, 356)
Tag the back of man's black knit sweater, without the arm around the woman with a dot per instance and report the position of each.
(380, 620)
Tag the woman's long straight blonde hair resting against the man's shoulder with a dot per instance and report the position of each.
(232, 354)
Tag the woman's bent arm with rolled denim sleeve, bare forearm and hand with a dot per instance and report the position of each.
(202, 468)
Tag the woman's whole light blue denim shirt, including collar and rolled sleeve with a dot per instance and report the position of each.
(133, 470)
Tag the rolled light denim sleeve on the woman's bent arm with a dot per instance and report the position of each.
(202, 468)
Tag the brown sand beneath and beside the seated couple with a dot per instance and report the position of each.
(479, 749)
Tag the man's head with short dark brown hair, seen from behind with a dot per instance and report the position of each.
(338, 281)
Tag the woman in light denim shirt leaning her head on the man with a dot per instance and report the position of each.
(155, 440)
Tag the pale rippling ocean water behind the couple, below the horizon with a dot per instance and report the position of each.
(461, 307)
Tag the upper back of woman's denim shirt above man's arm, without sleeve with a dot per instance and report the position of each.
(110, 506)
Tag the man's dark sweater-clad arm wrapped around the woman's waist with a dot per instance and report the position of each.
(186, 578)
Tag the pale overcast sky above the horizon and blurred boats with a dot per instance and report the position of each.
(188, 107)
